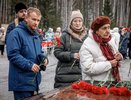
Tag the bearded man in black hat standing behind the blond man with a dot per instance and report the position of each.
(20, 10)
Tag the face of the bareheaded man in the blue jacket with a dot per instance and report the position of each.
(33, 20)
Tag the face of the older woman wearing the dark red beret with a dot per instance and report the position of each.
(104, 31)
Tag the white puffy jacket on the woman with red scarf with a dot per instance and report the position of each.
(94, 65)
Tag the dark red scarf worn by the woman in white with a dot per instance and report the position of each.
(108, 53)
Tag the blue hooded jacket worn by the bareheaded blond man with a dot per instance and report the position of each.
(23, 48)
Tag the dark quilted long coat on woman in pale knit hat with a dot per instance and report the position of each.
(68, 69)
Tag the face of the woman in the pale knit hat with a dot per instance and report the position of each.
(77, 23)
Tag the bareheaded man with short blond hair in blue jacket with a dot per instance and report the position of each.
(25, 56)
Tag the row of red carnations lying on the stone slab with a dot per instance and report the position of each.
(120, 89)
